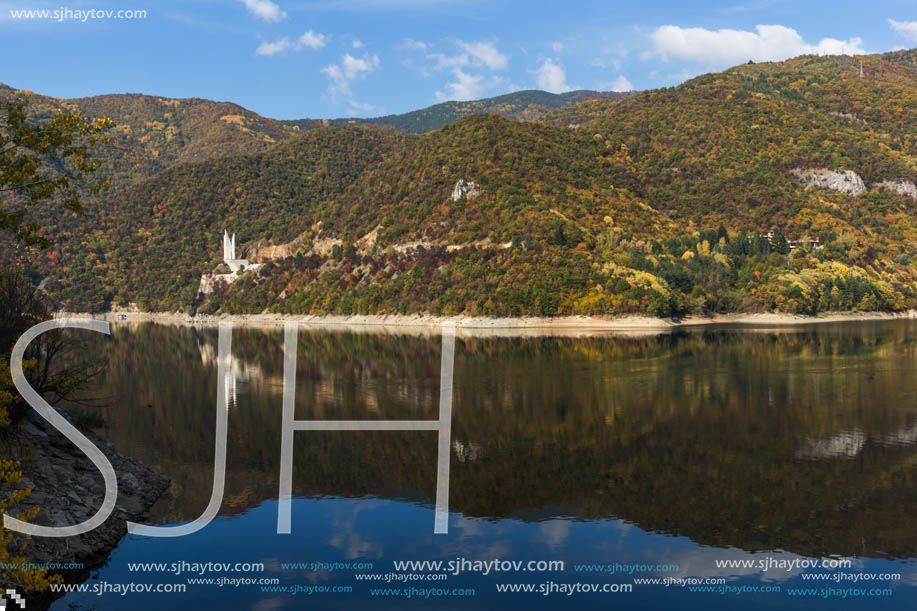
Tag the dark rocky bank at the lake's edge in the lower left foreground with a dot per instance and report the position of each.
(68, 489)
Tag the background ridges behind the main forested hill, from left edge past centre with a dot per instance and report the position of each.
(155, 132)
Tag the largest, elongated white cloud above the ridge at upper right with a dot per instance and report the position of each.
(767, 43)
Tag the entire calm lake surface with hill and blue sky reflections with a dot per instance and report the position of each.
(684, 449)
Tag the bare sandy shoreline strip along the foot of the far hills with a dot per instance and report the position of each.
(509, 326)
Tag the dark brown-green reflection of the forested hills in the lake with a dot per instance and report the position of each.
(803, 441)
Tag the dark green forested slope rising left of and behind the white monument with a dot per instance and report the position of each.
(150, 242)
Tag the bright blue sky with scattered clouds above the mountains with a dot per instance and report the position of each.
(333, 58)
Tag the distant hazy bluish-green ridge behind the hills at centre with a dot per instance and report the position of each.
(528, 105)
